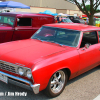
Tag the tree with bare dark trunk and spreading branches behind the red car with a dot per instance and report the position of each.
(92, 8)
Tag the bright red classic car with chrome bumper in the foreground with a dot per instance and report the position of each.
(55, 54)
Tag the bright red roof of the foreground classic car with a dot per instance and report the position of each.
(74, 26)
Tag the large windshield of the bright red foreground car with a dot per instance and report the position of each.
(58, 35)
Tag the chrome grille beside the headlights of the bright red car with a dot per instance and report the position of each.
(7, 66)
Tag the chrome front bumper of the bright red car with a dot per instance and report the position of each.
(22, 82)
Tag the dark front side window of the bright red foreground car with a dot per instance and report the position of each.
(89, 38)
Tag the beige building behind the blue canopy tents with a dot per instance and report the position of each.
(55, 6)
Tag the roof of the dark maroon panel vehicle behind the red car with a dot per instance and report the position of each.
(24, 14)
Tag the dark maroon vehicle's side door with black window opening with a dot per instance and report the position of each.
(23, 29)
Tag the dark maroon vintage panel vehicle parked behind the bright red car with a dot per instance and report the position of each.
(21, 25)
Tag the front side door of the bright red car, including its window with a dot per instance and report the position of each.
(89, 56)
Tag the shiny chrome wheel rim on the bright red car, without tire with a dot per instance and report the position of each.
(57, 81)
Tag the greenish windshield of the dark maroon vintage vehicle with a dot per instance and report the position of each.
(7, 20)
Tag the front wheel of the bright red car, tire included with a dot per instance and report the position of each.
(57, 83)
